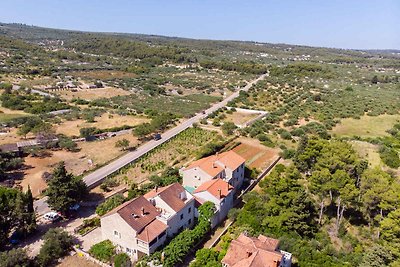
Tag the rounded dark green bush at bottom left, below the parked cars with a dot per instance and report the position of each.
(57, 243)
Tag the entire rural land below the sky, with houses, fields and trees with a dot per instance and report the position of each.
(121, 149)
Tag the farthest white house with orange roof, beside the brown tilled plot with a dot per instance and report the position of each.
(228, 166)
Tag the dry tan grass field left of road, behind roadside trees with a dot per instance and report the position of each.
(71, 128)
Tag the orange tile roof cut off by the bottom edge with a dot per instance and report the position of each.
(253, 252)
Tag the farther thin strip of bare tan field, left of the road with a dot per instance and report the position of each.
(91, 94)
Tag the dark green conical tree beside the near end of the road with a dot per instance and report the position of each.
(64, 190)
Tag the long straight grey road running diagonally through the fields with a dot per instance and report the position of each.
(97, 176)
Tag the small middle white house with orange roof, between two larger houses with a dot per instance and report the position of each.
(220, 193)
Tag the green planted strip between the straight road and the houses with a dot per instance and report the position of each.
(177, 152)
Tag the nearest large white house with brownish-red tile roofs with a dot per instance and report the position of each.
(139, 226)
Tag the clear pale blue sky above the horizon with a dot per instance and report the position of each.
(357, 24)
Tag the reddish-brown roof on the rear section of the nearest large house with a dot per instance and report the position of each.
(171, 195)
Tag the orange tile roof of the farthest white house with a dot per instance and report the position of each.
(215, 164)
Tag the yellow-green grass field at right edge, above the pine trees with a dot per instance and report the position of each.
(367, 126)
